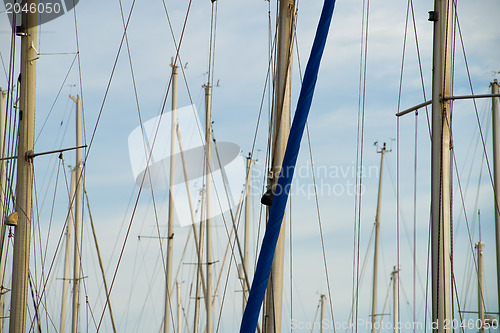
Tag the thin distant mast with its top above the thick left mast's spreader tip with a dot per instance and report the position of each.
(78, 214)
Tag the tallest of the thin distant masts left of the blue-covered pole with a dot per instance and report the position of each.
(170, 231)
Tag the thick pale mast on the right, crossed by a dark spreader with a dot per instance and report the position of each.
(440, 170)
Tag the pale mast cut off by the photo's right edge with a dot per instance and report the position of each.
(496, 175)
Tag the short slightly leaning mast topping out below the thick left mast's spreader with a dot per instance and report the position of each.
(69, 233)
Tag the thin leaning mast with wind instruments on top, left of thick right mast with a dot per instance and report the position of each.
(377, 236)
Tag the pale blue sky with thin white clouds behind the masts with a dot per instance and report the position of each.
(111, 113)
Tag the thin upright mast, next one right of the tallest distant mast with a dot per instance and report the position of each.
(208, 208)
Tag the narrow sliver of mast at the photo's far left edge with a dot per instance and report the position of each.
(3, 206)
